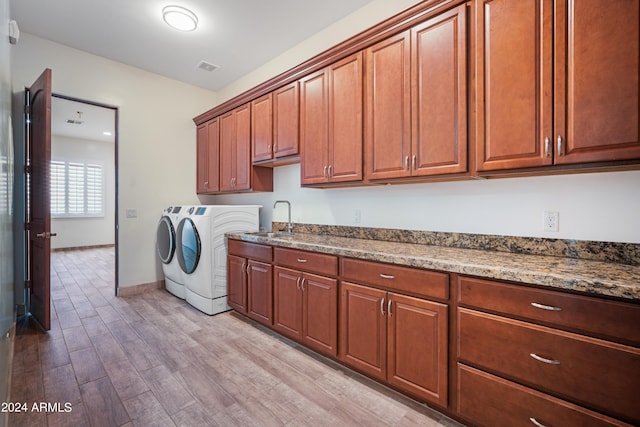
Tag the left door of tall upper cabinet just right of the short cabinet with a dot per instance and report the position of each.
(314, 132)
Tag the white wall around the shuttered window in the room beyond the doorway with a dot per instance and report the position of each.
(77, 232)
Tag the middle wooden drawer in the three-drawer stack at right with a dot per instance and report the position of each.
(589, 371)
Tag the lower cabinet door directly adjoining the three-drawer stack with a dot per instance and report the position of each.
(417, 347)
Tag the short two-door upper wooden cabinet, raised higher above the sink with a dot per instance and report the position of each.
(274, 124)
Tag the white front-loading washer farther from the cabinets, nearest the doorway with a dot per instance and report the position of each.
(166, 247)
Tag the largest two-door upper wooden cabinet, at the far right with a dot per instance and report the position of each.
(562, 94)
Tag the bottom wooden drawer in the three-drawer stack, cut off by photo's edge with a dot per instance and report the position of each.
(488, 400)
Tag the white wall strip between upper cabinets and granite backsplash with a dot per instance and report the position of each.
(597, 206)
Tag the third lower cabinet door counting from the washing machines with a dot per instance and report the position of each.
(287, 313)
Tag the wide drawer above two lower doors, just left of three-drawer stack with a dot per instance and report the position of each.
(403, 279)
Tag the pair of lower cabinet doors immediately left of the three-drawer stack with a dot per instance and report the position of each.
(396, 338)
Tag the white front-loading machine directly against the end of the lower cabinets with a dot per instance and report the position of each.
(202, 251)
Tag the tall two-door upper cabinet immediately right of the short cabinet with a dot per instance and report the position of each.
(331, 123)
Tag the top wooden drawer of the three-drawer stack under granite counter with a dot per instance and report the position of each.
(612, 319)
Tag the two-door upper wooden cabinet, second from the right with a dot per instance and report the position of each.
(416, 100)
